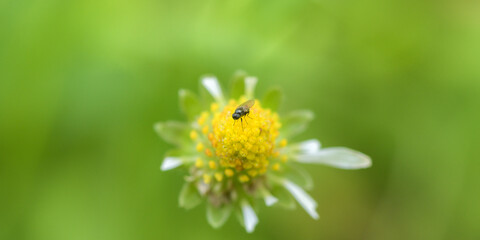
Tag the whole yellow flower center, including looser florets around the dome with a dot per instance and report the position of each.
(236, 148)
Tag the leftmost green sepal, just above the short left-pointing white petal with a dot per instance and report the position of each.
(173, 132)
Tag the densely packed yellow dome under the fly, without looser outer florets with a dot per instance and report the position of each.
(247, 143)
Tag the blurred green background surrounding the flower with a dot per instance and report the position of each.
(82, 82)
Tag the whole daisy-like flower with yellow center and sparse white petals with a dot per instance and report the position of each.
(232, 164)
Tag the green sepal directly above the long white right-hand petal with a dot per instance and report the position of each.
(295, 122)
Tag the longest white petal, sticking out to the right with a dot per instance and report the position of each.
(339, 157)
